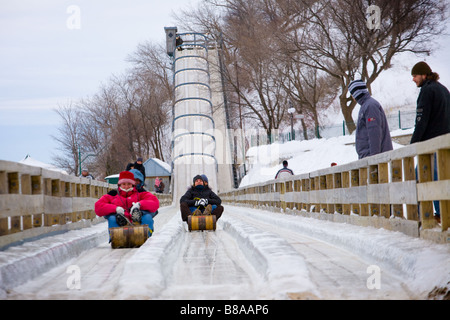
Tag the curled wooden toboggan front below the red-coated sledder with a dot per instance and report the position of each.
(128, 236)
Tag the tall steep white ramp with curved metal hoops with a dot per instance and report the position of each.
(193, 142)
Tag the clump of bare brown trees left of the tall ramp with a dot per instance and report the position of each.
(128, 117)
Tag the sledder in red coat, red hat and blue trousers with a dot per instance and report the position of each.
(127, 205)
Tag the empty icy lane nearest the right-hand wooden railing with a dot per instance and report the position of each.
(336, 272)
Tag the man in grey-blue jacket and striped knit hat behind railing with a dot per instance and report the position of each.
(372, 129)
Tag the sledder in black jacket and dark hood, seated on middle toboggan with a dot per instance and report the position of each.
(200, 200)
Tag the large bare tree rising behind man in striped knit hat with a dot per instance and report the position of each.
(339, 41)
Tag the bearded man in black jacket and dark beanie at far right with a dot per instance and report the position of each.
(433, 104)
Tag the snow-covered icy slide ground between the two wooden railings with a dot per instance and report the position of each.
(252, 255)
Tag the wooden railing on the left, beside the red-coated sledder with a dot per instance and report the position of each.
(35, 201)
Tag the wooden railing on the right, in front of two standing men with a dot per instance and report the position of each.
(384, 185)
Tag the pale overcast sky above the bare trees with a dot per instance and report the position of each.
(54, 51)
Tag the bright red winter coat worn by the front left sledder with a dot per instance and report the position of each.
(107, 204)
